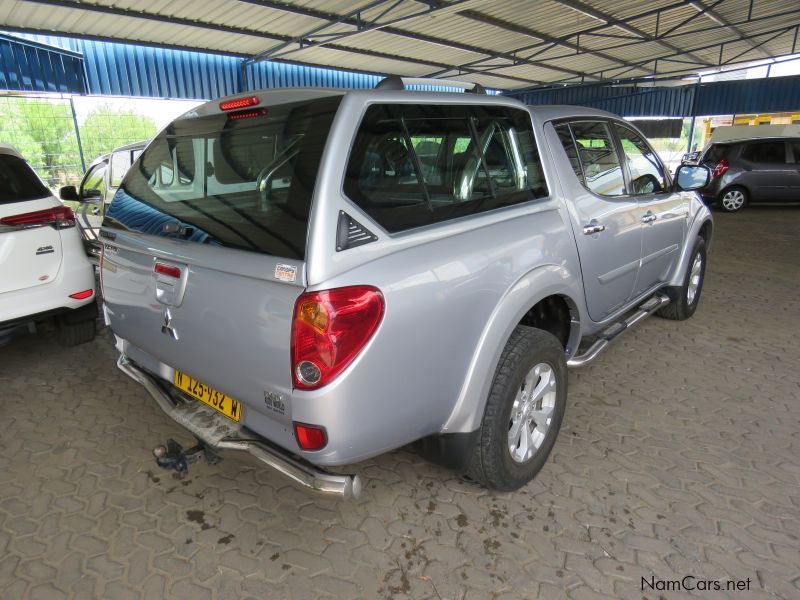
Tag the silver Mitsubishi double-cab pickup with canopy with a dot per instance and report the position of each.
(319, 276)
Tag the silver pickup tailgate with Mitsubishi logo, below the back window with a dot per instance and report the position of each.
(227, 328)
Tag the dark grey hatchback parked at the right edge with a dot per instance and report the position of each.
(753, 170)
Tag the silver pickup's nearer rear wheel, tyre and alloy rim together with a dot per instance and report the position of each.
(523, 412)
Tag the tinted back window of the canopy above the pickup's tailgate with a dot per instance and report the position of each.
(242, 180)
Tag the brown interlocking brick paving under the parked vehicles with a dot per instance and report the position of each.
(679, 455)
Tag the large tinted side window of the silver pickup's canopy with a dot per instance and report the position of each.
(413, 165)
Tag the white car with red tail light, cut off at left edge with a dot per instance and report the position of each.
(45, 273)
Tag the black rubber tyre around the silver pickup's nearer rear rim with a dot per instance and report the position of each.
(491, 463)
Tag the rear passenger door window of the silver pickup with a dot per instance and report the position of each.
(598, 156)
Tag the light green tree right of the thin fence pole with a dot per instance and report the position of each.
(106, 129)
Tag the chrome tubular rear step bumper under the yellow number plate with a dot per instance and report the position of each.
(213, 430)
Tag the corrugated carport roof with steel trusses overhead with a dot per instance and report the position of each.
(498, 43)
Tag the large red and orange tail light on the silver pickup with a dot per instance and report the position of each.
(329, 329)
